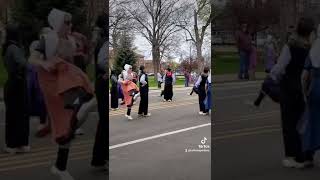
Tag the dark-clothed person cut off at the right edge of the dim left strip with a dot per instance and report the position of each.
(100, 157)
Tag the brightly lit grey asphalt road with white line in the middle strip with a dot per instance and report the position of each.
(163, 146)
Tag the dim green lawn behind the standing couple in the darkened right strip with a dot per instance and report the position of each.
(228, 63)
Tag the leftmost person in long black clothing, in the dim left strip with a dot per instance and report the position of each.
(15, 93)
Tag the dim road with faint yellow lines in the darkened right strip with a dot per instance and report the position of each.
(247, 141)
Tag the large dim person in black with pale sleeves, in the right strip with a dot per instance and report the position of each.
(287, 72)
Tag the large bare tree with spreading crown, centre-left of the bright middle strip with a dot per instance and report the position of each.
(157, 21)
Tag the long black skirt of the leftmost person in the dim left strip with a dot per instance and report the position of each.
(17, 119)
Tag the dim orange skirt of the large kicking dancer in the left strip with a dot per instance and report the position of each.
(53, 84)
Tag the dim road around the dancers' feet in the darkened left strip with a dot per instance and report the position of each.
(36, 165)
